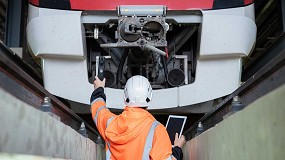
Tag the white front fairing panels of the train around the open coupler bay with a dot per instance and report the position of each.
(224, 37)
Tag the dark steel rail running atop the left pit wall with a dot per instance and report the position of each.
(19, 83)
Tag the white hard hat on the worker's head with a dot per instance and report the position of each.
(137, 92)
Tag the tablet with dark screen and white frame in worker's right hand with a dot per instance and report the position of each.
(175, 124)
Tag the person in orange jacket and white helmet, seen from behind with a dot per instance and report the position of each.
(135, 133)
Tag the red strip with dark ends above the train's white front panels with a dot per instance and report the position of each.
(111, 5)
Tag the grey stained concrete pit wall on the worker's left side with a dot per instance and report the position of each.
(26, 130)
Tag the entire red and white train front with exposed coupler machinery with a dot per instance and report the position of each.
(190, 50)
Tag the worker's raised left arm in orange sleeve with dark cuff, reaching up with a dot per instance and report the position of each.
(100, 113)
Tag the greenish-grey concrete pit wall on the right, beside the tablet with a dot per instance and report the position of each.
(255, 133)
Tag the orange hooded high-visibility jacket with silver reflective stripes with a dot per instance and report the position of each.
(125, 134)
